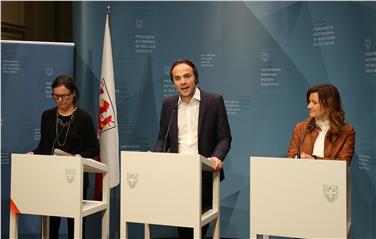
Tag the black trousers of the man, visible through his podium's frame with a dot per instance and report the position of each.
(207, 202)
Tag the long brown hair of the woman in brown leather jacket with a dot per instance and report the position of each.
(330, 99)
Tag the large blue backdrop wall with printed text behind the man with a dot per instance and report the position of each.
(262, 57)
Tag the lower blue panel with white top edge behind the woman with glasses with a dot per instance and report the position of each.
(28, 69)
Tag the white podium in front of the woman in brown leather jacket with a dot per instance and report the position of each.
(299, 198)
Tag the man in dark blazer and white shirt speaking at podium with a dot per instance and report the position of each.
(194, 121)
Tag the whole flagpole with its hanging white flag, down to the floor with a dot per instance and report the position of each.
(108, 126)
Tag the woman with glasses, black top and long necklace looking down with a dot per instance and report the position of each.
(70, 129)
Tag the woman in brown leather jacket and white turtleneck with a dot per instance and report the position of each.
(324, 134)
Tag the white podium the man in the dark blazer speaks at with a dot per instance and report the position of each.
(165, 189)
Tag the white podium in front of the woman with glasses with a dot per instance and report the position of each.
(53, 186)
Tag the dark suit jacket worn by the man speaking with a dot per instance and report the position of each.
(214, 135)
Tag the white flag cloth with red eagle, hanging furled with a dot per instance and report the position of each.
(107, 114)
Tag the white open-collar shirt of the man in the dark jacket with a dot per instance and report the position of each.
(188, 124)
